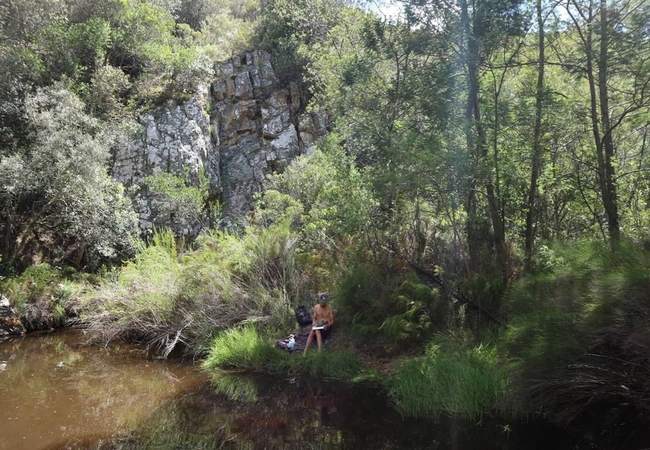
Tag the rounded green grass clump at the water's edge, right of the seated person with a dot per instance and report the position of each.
(454, 378)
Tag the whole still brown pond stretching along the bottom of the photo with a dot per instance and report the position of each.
(56, 393)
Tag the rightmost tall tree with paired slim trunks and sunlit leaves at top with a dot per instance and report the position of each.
(605, 33)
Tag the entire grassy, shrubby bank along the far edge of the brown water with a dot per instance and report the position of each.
(573, 351)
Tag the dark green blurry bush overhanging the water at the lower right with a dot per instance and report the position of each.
(577, 331)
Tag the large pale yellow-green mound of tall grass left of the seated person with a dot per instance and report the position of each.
(169, 298)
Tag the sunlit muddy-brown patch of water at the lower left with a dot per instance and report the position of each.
(53, 389)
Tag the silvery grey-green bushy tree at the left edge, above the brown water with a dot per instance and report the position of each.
(57, 198)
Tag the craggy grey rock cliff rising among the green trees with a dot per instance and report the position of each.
(255, 127)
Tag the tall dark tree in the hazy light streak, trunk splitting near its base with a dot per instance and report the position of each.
(479, 28)
